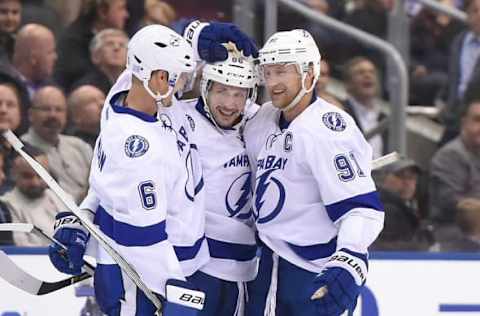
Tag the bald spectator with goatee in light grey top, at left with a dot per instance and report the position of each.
(69, 157)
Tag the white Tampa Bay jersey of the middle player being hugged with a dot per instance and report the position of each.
(227, 174)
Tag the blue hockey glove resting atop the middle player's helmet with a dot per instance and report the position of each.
(209, 37)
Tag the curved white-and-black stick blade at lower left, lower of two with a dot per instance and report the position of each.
(20, 279)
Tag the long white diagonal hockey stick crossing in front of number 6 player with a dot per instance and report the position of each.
(94, 231)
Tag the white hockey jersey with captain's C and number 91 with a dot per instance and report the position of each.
(309, 175)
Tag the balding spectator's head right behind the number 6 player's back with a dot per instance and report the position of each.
(85, 106)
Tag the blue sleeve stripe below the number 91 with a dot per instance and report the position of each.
(368, 200)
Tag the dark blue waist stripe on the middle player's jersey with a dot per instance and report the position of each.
(227, 250)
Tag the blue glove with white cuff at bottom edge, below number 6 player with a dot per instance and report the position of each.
(182, 299)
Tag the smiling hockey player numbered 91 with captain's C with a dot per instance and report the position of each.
(316, 205)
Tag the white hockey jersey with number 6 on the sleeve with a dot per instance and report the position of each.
(148, 184)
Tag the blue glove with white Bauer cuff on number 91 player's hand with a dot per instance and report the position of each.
(336, 288)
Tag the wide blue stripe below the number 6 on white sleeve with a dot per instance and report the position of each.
(129, 235)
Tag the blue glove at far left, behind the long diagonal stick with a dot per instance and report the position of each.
(71, 233)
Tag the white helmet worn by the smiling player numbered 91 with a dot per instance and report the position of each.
(293, 47)
